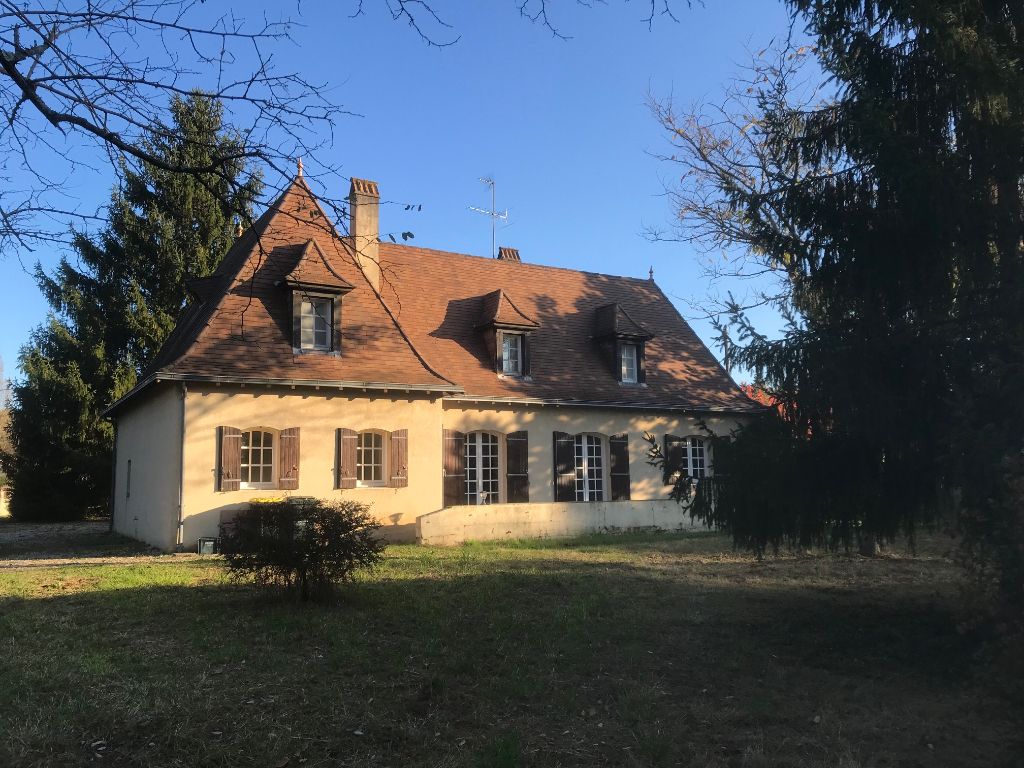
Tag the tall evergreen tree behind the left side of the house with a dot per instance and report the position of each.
(114, 308)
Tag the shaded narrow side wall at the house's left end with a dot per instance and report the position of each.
(149, 437)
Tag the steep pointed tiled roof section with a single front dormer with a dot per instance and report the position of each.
(245, 331)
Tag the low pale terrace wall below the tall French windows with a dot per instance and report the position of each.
(457, 525)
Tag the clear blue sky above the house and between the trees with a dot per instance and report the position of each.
(562, 125)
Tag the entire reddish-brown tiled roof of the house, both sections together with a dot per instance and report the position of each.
(424, 329)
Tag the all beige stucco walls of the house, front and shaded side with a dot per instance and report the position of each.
(150, 435)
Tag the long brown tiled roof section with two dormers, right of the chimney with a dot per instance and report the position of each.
(437, 296)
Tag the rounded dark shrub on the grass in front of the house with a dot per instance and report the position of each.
(306, 545)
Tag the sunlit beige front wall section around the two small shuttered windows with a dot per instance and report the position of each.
(318, 414)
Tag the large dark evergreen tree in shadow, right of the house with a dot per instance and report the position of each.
(895, 214)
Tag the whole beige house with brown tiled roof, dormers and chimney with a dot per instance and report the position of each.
(463, 398)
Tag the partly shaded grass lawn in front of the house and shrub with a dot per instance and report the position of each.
(608, 651)
